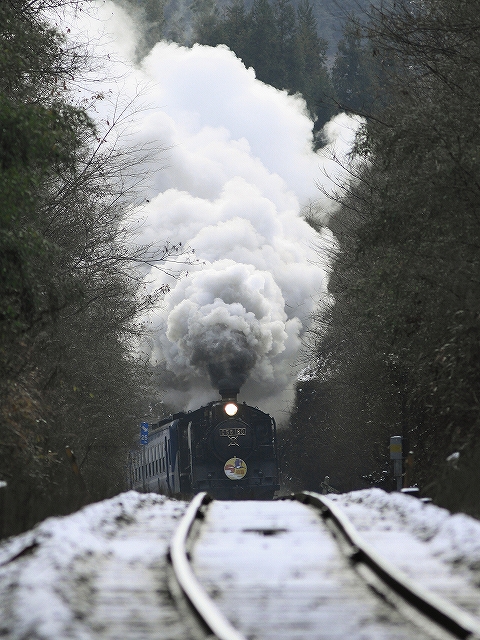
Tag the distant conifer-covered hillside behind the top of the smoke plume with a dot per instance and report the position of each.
(297, 45)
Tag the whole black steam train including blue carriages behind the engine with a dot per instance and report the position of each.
(225, 448)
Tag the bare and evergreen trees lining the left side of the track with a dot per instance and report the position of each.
(69, 295)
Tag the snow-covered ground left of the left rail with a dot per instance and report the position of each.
(99, 573)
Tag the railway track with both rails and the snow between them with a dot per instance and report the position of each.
(297, 569)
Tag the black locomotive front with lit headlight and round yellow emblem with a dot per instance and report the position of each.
(233, 450)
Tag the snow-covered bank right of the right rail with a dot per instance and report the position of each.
(439, 550)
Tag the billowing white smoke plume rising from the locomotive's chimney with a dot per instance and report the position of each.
(239, 170)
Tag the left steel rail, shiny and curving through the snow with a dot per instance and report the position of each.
(203, 606)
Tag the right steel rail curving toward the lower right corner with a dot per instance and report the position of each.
(443, 613)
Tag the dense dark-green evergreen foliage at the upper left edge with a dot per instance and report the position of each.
(40, 137)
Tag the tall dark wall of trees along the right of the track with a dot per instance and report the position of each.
(398, 352)
